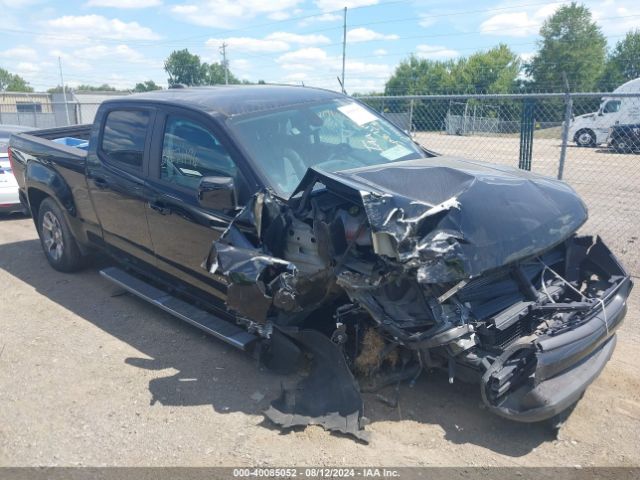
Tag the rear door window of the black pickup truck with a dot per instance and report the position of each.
(124, 136)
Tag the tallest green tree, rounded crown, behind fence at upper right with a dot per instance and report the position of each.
(571, 44)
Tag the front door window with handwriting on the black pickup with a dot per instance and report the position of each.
(190, 152)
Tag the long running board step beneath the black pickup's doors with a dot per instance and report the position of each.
(205, 321)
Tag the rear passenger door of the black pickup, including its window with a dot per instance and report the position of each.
(116, 174)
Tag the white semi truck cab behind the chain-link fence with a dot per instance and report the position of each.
(592, 129)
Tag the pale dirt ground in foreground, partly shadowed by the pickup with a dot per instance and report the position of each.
(88, 378)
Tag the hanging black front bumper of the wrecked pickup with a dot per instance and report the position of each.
(535, 381)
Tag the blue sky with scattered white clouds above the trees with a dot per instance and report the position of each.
(123, 42)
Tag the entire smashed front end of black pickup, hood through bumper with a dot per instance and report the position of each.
(467, 270)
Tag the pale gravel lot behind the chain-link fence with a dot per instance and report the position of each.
(608, 182)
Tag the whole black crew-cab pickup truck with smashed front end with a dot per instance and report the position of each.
(299, 224)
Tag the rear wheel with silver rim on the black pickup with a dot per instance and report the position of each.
(57, 242)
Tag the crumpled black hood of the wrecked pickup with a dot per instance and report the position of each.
(452, 219)
